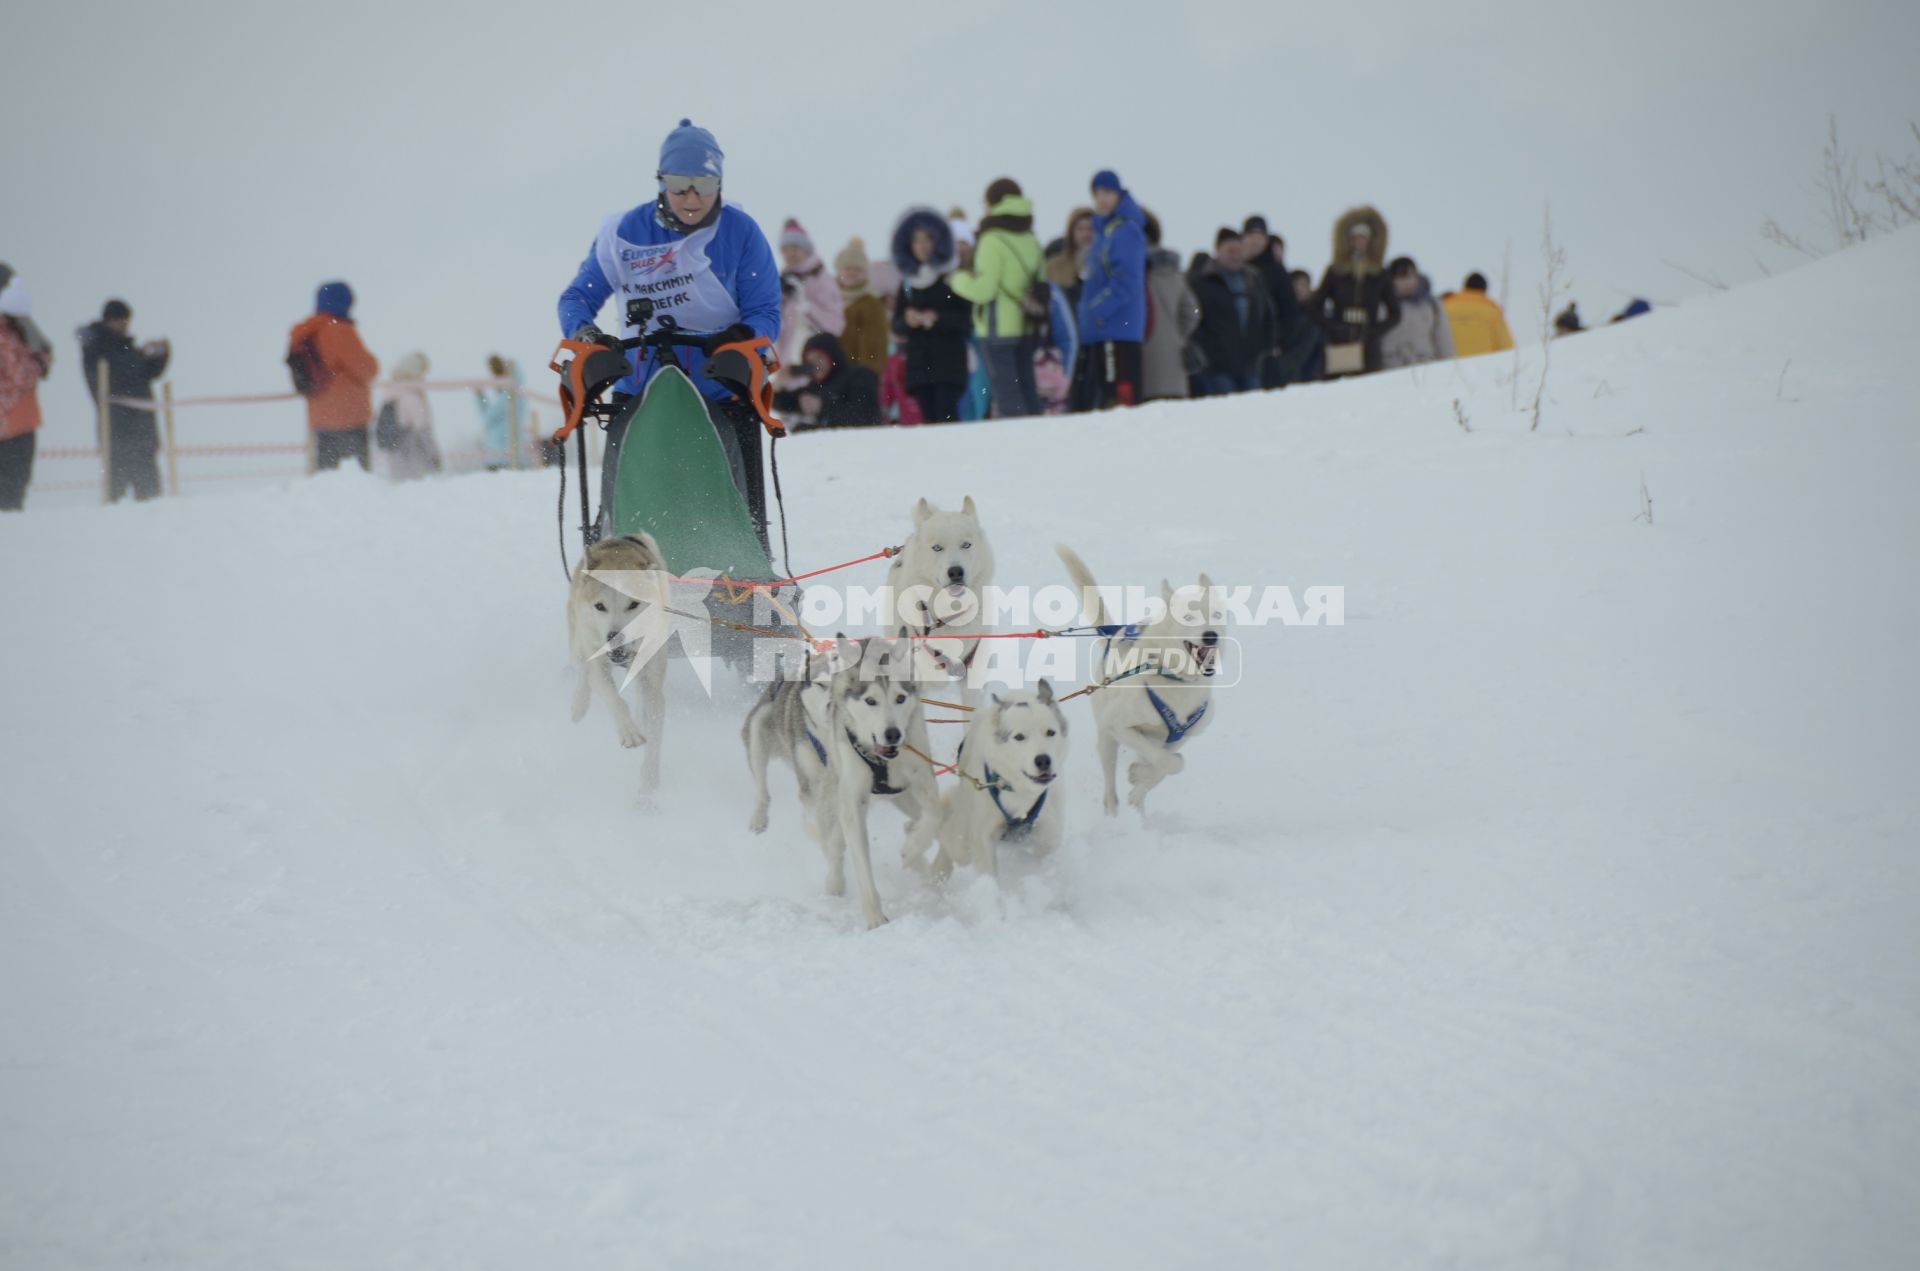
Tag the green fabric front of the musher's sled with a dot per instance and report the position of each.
(675, 483)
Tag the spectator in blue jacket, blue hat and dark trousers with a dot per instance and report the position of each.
(1113, 312)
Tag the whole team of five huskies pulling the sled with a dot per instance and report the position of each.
(855, 729)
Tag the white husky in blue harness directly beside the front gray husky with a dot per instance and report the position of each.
(1009, 761)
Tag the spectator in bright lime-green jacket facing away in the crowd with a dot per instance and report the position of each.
(1007, 260)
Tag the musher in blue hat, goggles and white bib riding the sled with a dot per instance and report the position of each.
(709, 268)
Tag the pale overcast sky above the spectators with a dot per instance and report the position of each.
(214, 162)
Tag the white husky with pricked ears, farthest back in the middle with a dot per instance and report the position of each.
(938, 588)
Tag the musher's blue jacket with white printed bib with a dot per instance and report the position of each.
(708, 279)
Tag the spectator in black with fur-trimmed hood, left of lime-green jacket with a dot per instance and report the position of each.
(930, 320)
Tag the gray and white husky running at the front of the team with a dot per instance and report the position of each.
(852, 748)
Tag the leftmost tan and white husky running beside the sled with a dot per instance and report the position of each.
(617, 613)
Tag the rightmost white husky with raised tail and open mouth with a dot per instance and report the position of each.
(1159, 698)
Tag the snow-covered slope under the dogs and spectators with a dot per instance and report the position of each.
(1558, 911)
